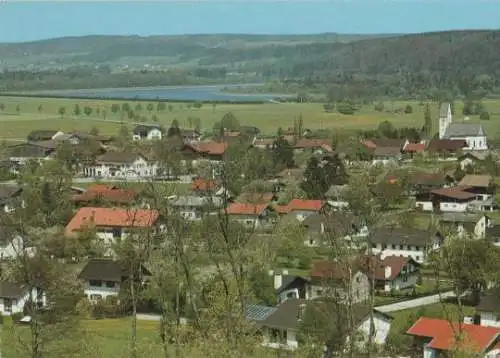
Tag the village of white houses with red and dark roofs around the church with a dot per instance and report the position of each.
(368, 217)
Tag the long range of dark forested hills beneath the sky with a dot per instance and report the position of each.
(395, 65)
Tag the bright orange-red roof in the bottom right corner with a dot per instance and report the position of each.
(442, 333)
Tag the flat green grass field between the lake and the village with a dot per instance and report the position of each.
(268, 117)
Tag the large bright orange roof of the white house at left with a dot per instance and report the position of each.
(111, 217)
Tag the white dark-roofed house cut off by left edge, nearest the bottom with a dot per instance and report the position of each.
(14, 297)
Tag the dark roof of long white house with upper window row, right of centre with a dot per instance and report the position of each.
(401, 236)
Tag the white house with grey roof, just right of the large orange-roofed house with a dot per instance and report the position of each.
(192, 207)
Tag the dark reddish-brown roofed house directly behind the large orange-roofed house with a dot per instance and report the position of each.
(104, 193)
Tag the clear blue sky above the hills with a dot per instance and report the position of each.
(36, 19)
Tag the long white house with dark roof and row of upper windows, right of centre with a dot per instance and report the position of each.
(405, 242)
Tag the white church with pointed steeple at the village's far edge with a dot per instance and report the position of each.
(472, 133)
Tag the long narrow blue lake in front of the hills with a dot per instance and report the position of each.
(175, 93)
